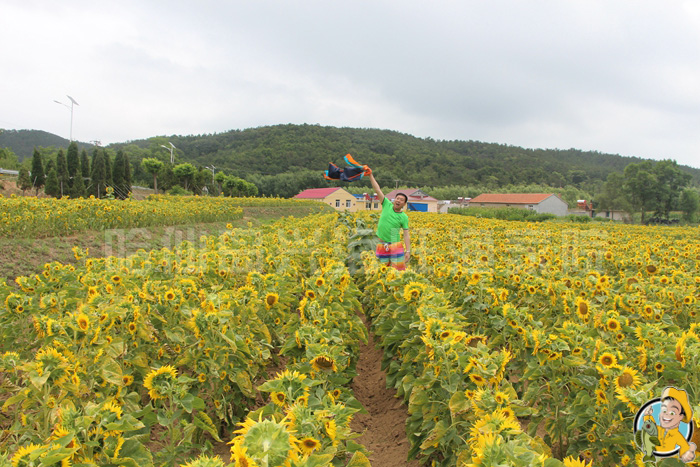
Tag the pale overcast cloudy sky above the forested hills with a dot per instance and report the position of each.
(615, 76)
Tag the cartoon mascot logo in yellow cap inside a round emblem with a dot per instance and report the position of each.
(663, 427)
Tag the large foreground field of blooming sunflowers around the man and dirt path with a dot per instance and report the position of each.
(511, 344)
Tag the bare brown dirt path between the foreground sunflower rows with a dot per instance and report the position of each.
(384, 427)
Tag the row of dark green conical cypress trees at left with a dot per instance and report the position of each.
(76, 176)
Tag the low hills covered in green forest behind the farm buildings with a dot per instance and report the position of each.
(265, 154)
